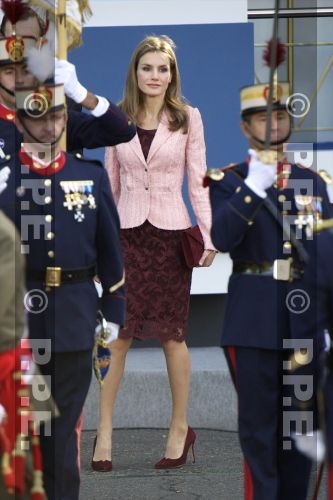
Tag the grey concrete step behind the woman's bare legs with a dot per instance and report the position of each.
(144, 399)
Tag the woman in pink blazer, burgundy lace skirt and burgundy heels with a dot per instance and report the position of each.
(146, 176)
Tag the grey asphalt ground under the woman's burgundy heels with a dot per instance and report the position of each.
(216, 475)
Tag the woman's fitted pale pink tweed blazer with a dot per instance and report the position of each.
(152, 189)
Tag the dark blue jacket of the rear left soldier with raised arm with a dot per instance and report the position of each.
(83, 130)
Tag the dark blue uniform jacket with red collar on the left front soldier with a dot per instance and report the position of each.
(68, 219)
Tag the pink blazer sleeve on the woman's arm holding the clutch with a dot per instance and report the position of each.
(196, 169)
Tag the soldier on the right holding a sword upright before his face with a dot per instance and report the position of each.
(262, 212)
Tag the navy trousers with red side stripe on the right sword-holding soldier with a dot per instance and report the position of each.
(273, 468)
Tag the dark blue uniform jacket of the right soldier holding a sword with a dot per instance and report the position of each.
(256, 313)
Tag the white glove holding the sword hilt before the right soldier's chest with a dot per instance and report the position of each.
(260, 176)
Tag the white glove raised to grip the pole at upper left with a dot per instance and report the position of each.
(65, 72)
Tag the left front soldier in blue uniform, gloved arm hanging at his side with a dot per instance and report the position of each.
(69, 229)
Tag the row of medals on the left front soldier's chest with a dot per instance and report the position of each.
(77, 195)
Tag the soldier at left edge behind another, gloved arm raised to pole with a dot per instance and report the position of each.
(107, 125)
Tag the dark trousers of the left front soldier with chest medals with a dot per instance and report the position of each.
(70, 376)
